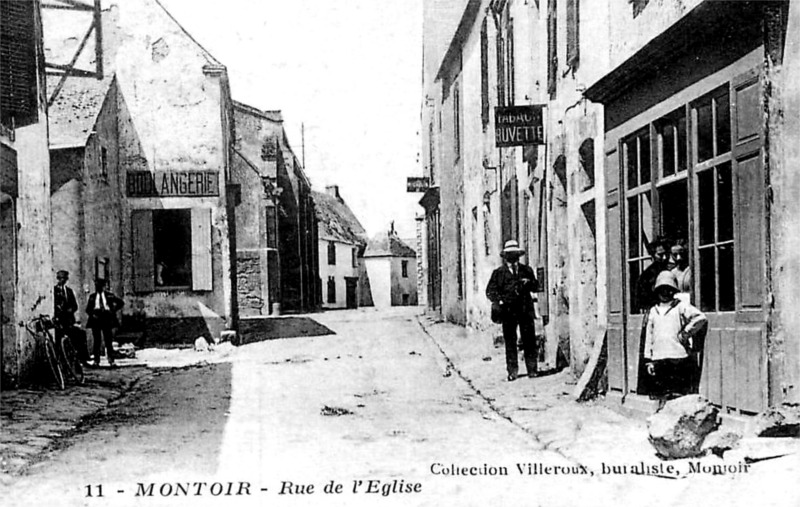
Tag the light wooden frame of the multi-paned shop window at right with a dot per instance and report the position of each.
(690, 176)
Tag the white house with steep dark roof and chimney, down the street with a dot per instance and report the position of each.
(342, 241)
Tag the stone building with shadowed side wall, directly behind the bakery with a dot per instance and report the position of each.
(265, 228)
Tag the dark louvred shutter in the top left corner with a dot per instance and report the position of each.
(18, 71)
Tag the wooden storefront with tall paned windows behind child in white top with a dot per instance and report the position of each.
(684, 159)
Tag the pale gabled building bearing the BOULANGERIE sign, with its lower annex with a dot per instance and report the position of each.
(141, 160)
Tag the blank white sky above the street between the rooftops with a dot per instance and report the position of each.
(348, 70)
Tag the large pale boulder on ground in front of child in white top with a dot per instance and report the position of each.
(680, 427)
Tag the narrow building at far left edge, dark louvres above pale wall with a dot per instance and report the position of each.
(26, 270)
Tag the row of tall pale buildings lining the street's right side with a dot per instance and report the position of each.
(666, 118)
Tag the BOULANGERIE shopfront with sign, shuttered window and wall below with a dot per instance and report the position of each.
(178, 237)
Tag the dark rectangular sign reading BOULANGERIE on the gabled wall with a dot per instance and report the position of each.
(172, 184)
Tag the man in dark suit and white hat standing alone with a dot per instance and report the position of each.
(511, 290)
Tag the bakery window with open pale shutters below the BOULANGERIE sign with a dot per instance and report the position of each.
(172, 249)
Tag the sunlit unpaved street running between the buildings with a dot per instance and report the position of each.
(392, 396)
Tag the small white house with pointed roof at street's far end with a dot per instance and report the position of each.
(391, 266)
